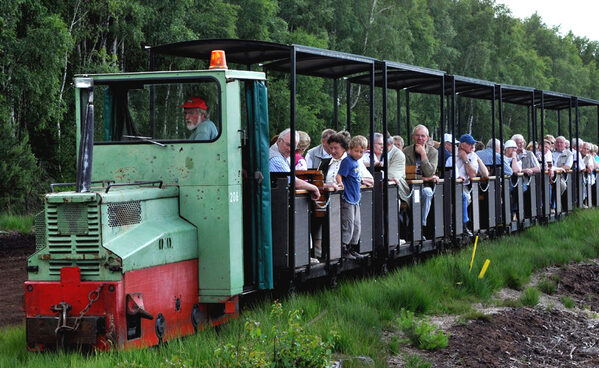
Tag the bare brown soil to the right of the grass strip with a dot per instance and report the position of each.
(548, 335)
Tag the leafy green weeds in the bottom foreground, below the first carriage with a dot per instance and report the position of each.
(290, 343)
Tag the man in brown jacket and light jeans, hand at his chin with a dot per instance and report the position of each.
(423, 159)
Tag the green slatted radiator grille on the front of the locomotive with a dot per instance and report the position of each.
(74, 237)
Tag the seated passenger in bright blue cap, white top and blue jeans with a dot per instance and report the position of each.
(468, 165)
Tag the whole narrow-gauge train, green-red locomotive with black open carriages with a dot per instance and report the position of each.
(163, 235)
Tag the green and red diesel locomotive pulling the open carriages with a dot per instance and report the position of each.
(150, 245)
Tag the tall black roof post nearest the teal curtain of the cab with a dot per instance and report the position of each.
(292, 92)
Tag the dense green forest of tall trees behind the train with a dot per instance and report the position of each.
(44, 43)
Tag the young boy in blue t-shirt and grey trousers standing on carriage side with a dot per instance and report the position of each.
(349, 176)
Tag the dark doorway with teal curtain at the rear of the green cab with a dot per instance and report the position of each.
(256, 190)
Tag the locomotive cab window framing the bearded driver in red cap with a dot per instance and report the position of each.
(150, 111)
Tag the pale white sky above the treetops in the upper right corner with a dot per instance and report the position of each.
(579, 16)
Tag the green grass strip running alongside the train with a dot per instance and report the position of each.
(360, 310)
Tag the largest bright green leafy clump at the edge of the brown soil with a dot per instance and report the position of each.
(421, 333)
